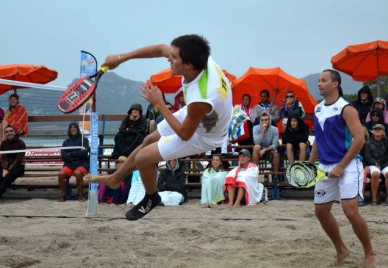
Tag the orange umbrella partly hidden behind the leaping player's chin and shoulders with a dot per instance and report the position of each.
(169, 83)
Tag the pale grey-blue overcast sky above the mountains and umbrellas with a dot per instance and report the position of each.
(298, 36)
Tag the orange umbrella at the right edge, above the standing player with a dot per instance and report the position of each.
(363, 62)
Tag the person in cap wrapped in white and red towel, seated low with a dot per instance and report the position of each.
(242, 183)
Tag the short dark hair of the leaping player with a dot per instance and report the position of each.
(193, 49)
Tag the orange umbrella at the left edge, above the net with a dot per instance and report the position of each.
(25, 73)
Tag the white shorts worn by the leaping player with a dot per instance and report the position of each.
(171, 146)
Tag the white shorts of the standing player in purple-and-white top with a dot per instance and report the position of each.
(348, 186)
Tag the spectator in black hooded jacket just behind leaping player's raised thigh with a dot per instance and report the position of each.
(132, 131)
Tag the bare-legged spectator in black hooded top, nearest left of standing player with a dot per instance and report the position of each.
(296, 138)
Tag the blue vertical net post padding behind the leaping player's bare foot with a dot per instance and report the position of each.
(93, 188)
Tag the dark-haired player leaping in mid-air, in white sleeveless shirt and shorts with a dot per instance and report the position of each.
(200, 126)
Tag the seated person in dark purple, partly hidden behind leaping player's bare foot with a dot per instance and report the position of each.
(119, 195)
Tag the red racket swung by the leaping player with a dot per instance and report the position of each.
(79, 92)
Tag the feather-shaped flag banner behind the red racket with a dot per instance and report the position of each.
(88, 67)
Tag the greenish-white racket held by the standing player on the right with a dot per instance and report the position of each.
(304, 174)
